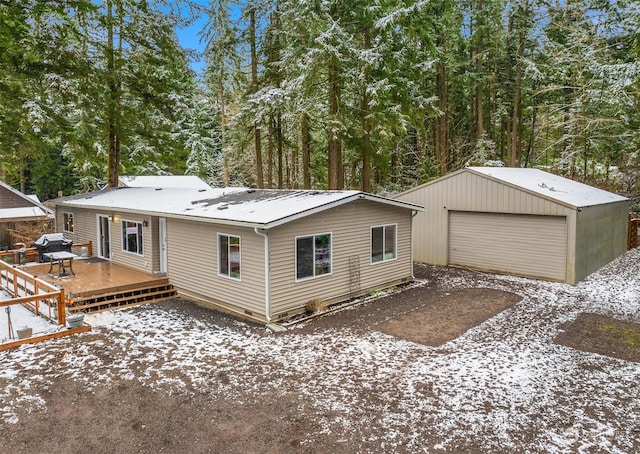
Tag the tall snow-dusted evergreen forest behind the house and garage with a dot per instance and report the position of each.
(377, 95)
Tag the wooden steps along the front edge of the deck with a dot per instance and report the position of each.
(150, 292)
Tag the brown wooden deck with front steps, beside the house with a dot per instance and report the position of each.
(101, 285)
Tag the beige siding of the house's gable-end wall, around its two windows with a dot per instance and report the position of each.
(350, 226)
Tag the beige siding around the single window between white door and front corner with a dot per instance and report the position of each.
(192, 265)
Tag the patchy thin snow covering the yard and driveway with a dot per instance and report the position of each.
(504, 384)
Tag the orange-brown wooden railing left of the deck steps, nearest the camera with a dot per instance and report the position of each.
(32, 293)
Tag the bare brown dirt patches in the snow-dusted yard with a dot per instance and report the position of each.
(128, 416)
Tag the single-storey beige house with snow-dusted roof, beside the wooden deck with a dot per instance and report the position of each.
(264, 254)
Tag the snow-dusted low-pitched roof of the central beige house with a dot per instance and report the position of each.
(263, 208)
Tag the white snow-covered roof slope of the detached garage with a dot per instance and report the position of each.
(551, 186)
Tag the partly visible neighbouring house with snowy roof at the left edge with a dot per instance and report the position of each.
(19, 215)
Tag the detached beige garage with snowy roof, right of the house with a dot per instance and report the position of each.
(519, 221)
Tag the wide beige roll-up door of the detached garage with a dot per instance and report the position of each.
(525, 245)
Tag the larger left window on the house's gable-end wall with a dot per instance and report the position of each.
(313, 256)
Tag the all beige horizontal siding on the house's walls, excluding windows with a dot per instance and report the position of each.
(192, 265)
